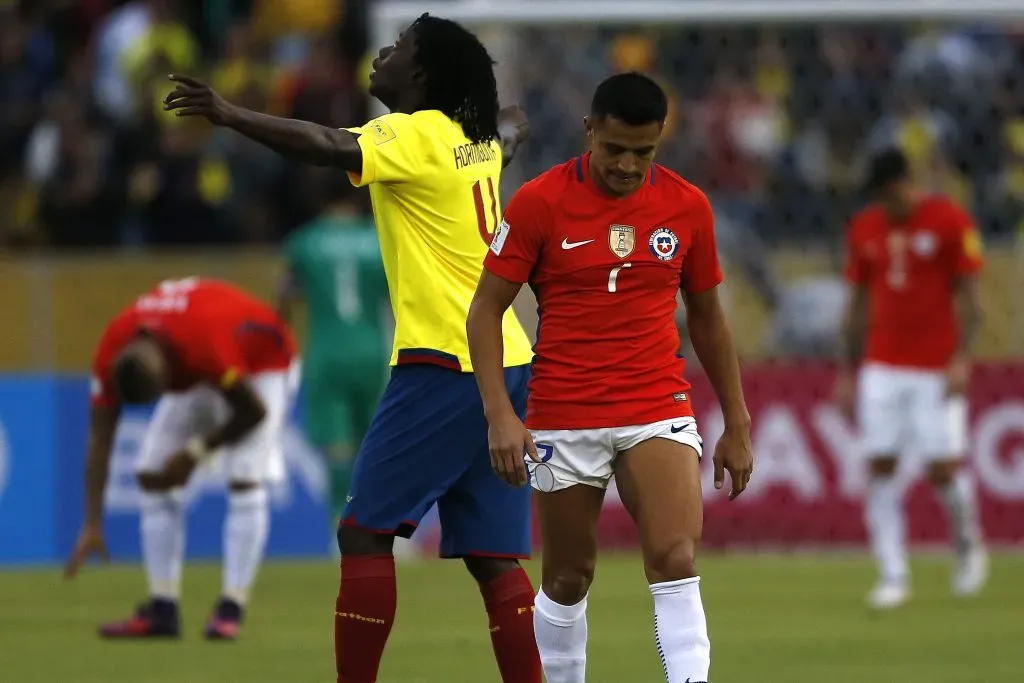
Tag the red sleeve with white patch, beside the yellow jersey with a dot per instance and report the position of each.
(519, 241)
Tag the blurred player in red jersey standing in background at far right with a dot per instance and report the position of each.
(913, 266)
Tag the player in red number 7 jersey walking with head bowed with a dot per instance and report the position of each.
(607, 241)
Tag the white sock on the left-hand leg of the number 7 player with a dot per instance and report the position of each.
(562, 638)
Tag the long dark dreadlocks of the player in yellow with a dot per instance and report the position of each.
(459, 76)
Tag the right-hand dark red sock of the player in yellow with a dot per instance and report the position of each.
(509, 601)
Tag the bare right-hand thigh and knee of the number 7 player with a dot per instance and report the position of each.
(659, 482)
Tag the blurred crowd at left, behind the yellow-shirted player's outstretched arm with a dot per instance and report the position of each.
(90, 159)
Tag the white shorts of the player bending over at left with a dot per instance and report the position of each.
(258, 458)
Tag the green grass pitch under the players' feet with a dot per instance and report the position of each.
(773, 620)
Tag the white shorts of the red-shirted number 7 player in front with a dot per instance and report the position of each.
(588, 456)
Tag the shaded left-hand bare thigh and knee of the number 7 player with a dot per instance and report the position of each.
(568, 520)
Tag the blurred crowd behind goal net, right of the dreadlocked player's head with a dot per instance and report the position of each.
(778, 122)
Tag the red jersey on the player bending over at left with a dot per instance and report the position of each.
(212, 332)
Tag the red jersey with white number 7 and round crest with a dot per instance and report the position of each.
(606, 272)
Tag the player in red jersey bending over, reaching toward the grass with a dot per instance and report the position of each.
(220, 363)
